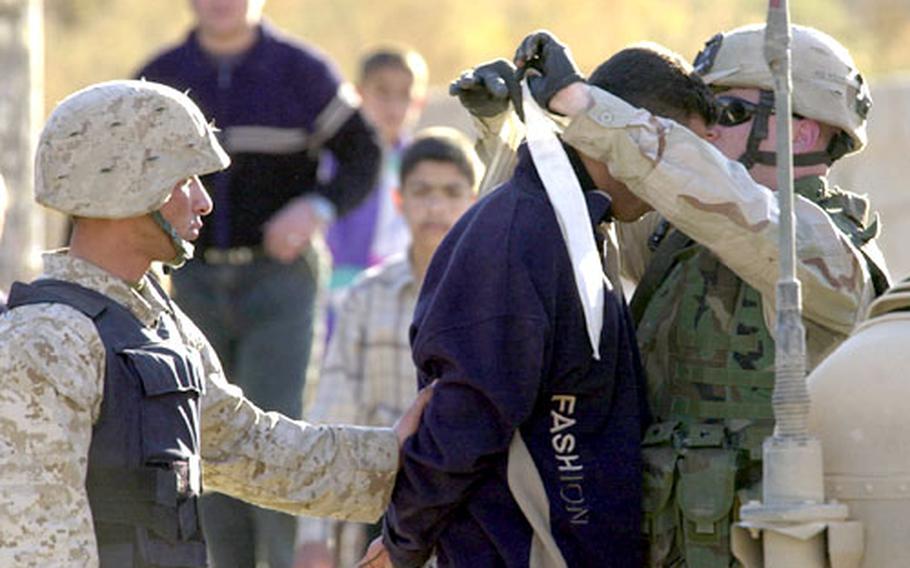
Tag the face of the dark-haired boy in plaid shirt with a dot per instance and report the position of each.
(433, 197)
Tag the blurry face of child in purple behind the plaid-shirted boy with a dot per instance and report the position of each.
(390, 101)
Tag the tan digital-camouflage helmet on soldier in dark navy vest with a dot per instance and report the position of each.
(116, 149)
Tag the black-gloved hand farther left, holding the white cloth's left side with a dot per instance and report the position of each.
(486, 90)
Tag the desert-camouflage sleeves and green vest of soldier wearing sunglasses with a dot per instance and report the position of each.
(707, 332)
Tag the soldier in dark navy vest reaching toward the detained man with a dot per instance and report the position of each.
(114, 410)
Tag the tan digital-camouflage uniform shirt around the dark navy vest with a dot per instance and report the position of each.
(51, 383)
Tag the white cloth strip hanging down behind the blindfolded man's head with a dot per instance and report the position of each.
(568, 202)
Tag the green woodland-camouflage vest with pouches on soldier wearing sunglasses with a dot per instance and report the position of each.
(709, 359)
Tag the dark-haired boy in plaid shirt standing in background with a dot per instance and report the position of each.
(368, 376)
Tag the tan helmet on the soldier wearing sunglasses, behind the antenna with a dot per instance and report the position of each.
(827, 86)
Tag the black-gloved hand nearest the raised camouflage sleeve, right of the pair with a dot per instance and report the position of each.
(547, 66)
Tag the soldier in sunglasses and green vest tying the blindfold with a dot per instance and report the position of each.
(706, 275)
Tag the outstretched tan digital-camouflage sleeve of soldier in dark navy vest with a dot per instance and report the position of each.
(346, 472)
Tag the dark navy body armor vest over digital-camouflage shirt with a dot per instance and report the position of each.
(143, 466)
